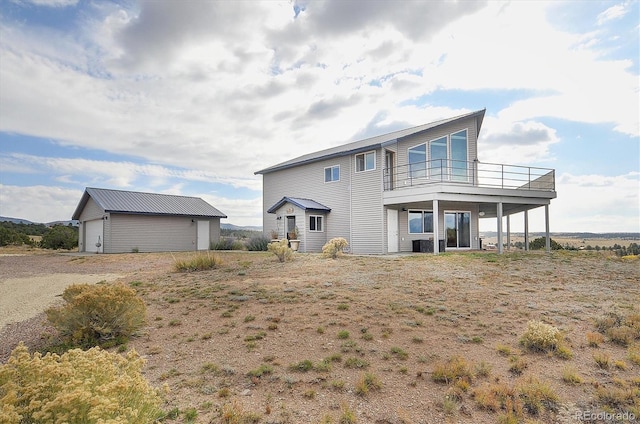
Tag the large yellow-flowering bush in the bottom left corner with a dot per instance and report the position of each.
(92, 386)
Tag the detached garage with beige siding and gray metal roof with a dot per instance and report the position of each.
(116, 221)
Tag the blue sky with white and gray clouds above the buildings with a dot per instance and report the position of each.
(193, 97)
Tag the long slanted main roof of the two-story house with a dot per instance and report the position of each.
(369, 143)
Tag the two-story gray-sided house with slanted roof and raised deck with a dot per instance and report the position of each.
(418, 189)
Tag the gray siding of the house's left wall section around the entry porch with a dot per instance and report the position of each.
(308, 182)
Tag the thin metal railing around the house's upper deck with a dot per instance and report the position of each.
(479, 174)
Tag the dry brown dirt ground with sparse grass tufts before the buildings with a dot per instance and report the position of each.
(395, 317)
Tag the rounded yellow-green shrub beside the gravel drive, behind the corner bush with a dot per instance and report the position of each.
(95, 314)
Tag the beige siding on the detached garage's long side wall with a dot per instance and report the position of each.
(150, 233)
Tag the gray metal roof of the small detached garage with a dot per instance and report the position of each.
(132, 202)
